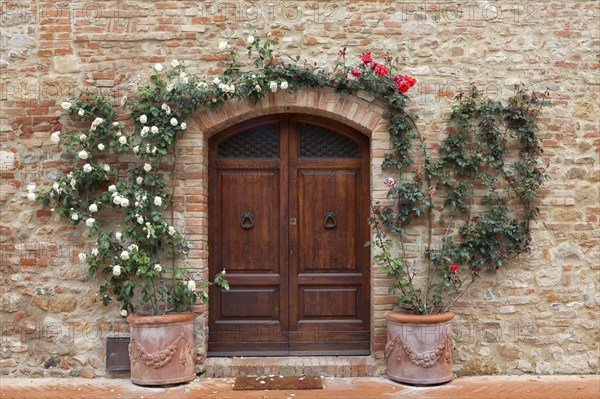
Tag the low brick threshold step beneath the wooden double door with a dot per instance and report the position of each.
(326, 366)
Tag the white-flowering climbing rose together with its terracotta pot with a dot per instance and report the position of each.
(117, 190)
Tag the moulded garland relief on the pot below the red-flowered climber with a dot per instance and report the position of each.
(424, 359)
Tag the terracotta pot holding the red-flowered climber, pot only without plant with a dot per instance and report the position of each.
(419, 348)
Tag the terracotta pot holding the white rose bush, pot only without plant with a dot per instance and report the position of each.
(162, 349)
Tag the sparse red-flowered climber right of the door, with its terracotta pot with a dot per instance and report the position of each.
(474, 202)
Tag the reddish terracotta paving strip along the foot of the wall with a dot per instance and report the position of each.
(497, 387)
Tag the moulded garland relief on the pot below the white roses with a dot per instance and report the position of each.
(160, 358)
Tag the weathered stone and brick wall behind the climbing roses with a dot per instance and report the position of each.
(538, 315)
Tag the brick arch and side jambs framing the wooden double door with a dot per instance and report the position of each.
(361, 112)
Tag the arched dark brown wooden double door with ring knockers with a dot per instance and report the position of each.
(288, 203)
